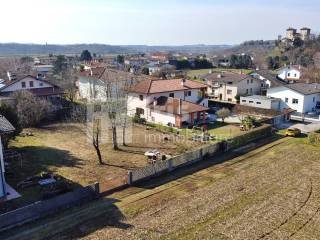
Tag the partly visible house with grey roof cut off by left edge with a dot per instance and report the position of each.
(5, 128)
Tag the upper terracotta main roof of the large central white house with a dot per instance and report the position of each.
(150, 86)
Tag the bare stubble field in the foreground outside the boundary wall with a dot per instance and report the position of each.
(272, 192)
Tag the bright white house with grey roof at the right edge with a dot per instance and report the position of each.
(302, 97)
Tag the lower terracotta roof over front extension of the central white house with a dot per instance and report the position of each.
(175, 105)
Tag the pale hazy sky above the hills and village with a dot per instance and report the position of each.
(150, 22)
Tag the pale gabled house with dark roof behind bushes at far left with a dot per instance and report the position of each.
(38, 87)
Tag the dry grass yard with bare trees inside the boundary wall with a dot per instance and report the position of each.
(64, 150)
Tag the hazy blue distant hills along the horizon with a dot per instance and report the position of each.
(76, 49)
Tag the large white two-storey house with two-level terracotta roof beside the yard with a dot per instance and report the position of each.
(174, 102)
